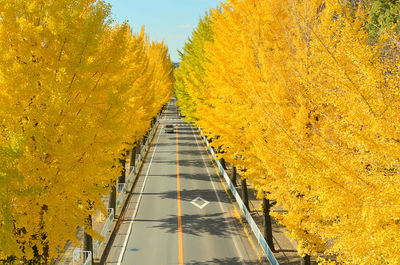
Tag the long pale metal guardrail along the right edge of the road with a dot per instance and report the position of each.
(256, 231)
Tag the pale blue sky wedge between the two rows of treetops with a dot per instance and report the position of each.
(168, 20)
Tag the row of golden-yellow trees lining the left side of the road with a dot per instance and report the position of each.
(76, 91)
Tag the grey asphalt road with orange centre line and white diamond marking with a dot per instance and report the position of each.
(179, 212)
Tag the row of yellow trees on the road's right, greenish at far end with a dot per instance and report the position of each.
(309, 109)
